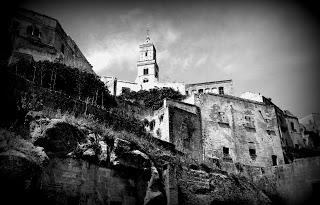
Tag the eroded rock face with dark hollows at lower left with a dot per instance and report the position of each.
(82, 167)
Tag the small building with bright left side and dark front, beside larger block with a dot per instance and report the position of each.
(180, 124)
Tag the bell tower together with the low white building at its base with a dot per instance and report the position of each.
(147, 74)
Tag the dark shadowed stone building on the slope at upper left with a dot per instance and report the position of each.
(40, 37)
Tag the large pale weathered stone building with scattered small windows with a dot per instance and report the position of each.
(239, 130)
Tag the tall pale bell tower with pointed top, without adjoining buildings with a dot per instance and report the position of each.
(148, 70)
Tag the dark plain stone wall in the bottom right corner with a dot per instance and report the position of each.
(295, 183)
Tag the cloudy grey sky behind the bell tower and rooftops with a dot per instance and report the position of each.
(270, 47)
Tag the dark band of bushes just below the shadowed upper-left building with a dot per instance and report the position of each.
(59, 77)
